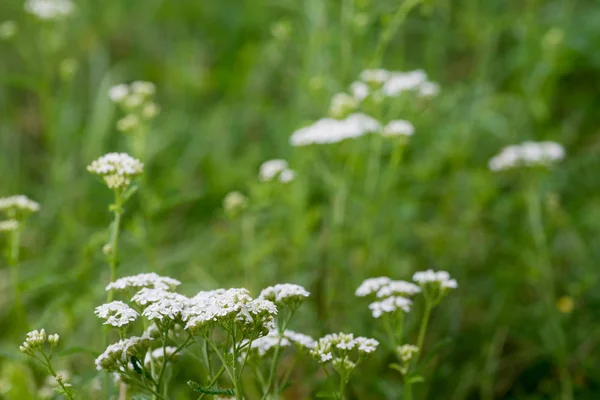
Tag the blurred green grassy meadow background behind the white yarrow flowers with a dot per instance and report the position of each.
(234, 79)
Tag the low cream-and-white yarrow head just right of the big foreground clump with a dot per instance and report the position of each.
(340, 345)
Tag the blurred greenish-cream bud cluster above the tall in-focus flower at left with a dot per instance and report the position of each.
(136, 100)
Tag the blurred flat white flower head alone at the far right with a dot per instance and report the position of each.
(527, 154)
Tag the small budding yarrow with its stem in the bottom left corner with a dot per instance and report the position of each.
(39, 346)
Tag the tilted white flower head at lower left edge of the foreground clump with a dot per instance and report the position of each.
(117, 355)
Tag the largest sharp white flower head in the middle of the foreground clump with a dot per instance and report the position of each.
(226, 306)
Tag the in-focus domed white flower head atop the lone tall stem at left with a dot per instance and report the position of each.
(117, 169)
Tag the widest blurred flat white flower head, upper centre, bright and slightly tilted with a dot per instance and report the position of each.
(329, 130)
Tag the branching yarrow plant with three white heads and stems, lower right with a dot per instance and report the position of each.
(393, 302)
